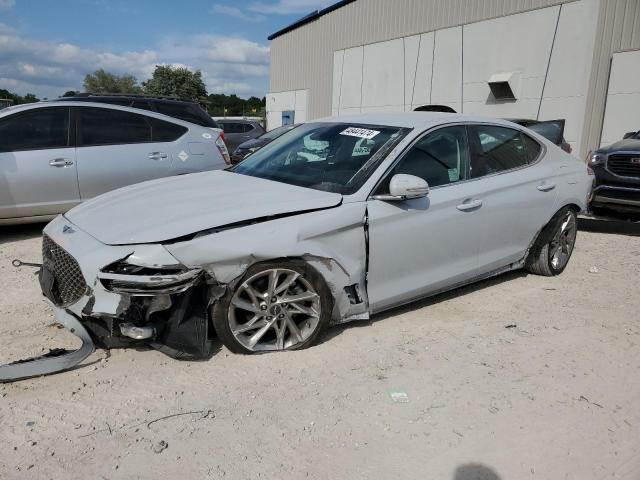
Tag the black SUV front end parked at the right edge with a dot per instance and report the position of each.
(617, 171)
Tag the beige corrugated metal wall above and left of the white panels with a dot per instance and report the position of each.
(303, 58)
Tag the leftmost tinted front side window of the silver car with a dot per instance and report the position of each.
(35, 129)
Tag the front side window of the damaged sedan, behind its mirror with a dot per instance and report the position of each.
(439, 158)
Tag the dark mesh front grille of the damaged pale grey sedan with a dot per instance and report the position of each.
(69, 285)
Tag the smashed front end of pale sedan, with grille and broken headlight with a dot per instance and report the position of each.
(127, 295)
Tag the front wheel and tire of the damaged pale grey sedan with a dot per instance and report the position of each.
(256, 315)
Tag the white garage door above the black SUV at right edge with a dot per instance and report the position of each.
(622, 113)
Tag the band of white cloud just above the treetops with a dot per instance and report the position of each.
(49, 68)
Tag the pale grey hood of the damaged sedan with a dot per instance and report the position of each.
(173, 207)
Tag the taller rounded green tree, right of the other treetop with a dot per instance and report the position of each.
(176, 82)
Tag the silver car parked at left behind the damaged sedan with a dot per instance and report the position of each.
(54, 155)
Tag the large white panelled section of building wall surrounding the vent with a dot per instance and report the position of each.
(548, 52)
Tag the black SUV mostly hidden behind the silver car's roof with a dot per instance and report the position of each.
(182, 110)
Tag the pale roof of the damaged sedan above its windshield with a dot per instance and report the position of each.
(417, 120)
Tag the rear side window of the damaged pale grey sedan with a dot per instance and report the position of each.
(498, 149)
